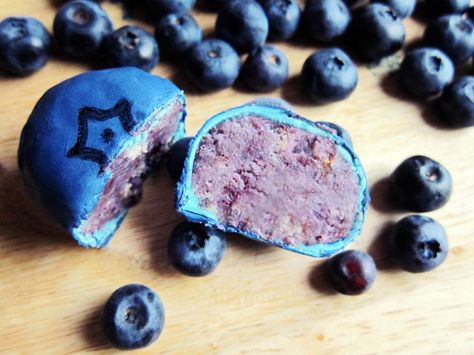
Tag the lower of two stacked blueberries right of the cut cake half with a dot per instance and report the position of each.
(418, 244)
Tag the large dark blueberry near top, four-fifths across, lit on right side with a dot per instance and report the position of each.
(376, 31)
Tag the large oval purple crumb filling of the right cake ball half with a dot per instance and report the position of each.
(277, 181)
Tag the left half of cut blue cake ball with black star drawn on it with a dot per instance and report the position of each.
(90, 142)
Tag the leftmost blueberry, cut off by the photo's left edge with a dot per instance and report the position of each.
(24, 45)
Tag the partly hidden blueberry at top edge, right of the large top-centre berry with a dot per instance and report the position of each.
(283, 18)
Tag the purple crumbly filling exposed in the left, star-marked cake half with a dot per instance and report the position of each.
(130, 168)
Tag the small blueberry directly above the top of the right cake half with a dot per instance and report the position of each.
(265, 69)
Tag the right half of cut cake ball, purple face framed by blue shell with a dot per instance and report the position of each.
(275, 177)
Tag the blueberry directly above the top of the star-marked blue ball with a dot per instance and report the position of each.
(131, 46)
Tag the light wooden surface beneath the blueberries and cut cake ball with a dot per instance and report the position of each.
(260, 299)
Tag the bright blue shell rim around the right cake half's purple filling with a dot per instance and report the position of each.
(187, 202)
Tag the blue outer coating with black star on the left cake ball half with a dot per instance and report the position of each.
(66, 177)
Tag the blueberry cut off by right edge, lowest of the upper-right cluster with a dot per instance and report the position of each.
(456, 105)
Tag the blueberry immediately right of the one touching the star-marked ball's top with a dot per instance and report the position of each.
(177, 34)
